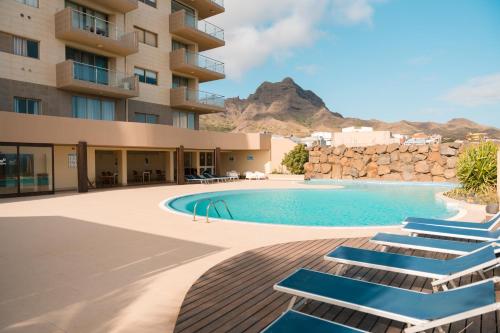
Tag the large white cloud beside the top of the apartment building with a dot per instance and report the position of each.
(261, 29)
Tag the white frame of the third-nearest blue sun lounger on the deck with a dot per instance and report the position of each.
(438, 279)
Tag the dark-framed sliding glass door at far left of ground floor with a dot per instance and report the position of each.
(26, 169)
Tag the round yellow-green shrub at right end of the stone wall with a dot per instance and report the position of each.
(477, 168)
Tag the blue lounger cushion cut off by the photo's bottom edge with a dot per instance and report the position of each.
(296, 322)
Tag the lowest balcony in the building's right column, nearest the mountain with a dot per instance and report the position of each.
(194, 100)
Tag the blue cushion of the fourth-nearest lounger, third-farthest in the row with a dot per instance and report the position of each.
(429, 244)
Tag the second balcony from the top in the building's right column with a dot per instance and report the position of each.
(187, 26)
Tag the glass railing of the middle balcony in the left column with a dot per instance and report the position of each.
(95, 25)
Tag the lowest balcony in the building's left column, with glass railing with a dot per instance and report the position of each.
(75, 76)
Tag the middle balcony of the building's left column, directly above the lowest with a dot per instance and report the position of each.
(75, 26)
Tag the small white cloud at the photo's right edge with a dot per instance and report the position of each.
(477, 91)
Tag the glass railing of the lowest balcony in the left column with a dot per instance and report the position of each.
(104, 76)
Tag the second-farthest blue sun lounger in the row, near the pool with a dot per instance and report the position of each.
(461, 233)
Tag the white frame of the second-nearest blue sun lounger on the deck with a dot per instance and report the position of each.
(414, 324)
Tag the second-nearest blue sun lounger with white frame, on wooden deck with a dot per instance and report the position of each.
(420, 311)
